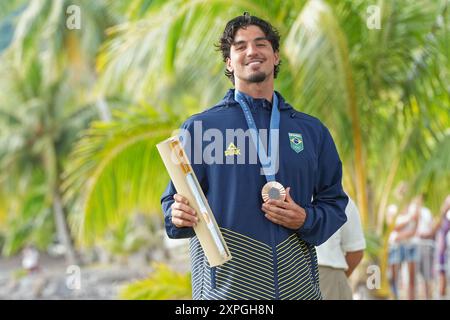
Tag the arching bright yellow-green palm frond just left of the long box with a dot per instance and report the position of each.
(115, 170)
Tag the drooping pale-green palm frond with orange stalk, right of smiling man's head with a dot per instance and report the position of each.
(316, 47)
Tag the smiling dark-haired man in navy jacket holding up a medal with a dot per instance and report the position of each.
(272, 243)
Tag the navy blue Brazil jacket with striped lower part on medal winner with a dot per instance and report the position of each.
(269, 261)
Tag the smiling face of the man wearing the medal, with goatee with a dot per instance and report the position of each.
(252, 58)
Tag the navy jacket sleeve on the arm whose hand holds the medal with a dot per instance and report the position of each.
(326, 213)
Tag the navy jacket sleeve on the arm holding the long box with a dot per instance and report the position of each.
(187, 138)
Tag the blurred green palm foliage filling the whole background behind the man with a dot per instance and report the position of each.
(390, 86)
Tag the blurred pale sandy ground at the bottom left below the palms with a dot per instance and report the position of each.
(55, 279)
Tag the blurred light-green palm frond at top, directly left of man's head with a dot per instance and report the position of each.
(181, 64)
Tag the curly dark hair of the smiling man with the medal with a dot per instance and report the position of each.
(227, 38)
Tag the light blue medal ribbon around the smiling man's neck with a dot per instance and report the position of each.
(264, 158)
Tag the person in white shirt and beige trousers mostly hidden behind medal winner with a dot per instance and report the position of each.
(340, 255)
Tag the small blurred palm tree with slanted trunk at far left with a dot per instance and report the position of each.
(35, 138)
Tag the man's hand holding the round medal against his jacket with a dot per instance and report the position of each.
(285, 213)
